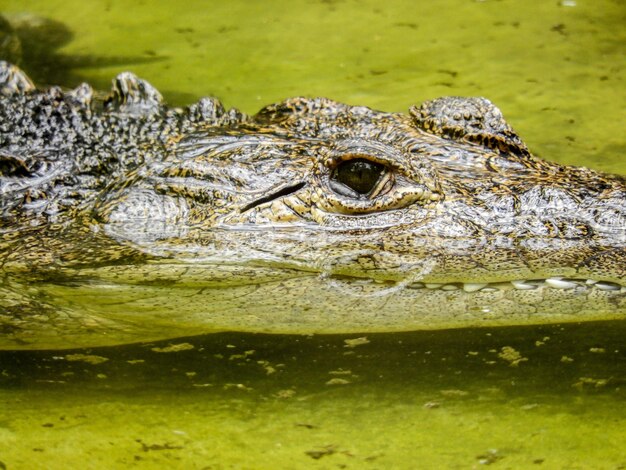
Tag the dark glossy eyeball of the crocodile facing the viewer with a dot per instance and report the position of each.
(358, 176)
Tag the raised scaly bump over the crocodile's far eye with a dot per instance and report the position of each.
(474, 120)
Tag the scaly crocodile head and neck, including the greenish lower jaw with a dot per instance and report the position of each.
(123, 220)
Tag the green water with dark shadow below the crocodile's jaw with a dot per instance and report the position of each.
(449, 399)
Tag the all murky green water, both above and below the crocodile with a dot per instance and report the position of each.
(534, 397)
